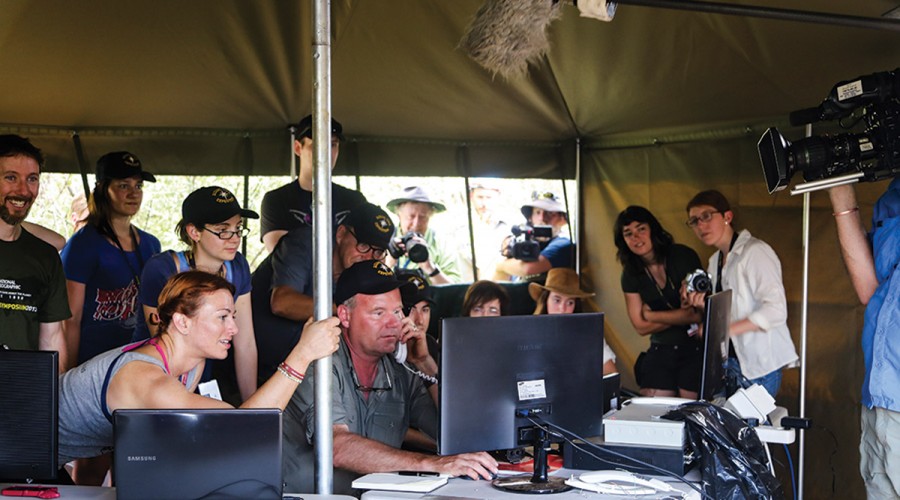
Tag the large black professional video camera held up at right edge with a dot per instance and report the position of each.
(869, 156)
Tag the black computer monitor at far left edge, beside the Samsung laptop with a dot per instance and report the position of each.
(29, 391)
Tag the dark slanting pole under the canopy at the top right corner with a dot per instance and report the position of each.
(771, 13)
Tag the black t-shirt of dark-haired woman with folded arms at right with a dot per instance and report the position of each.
(681, 261)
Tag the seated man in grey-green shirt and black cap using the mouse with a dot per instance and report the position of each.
(375, 398)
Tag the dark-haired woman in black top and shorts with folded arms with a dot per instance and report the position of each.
(653, 268)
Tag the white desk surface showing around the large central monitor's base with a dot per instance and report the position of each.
(459, 489)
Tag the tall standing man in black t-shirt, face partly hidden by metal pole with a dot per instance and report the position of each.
(290, 205)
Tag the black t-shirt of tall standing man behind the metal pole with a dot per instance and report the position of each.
(290, 206)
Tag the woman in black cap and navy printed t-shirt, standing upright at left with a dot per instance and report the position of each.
(103, 263)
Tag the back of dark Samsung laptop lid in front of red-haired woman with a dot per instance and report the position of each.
(169, 454)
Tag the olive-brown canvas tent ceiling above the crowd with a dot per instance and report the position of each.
(210, 86)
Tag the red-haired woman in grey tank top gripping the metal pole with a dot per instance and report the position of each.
(197, 321)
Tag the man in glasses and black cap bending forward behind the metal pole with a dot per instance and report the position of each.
(282, 295)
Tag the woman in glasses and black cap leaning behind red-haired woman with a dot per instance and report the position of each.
(212, 226)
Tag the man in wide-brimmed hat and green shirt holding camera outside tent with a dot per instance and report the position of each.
(438, 264)
